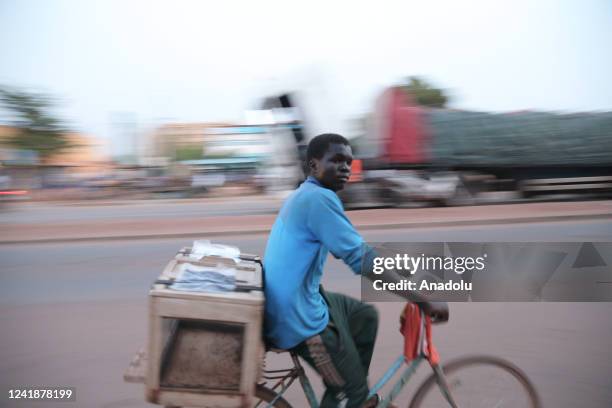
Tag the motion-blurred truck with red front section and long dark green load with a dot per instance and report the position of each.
(410, 153)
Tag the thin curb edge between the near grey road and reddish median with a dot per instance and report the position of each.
(362, 227)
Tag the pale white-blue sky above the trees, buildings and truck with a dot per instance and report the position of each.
(151, 62)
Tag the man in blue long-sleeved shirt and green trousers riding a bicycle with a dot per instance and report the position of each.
(334, 333)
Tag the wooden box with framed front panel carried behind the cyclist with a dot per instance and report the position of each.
(204, 348)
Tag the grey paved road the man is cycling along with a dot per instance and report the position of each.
(74, 314)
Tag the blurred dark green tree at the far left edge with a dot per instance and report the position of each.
(38, 129)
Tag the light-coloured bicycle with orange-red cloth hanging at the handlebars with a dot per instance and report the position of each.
(463, 382)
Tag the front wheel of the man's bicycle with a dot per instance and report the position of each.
(479, 381)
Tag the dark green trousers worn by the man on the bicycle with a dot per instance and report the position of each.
(342, 352)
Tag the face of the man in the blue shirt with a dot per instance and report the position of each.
(334, 168)
